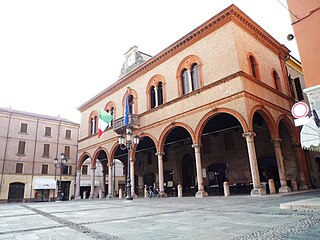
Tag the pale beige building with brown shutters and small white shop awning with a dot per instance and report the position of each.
(29, 143)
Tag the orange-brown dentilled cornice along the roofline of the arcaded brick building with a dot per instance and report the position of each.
(232, 13)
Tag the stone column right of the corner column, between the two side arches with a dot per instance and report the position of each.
(281, 169)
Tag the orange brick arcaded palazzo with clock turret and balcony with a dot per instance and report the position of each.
(212, 107)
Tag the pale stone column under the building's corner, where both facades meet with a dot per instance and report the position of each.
(257, 189)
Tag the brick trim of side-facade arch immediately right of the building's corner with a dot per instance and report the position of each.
(266, 115)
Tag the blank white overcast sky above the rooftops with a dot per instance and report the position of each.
(56, 55)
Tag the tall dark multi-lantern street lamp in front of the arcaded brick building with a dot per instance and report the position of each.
(128, 145)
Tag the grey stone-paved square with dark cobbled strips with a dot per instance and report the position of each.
(235, 217)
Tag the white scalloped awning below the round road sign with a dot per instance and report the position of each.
(310, 136)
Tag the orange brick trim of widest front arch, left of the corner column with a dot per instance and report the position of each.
(204, 120)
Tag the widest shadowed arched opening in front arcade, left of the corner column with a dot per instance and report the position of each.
(224, 155)
